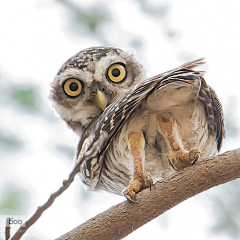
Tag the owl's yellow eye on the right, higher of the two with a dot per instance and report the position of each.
(117, 73)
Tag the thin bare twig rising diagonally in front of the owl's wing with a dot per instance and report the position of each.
(66, 183)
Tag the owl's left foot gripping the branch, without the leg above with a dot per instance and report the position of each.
(136, 185)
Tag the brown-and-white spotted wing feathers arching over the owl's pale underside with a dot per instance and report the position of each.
(112, 119)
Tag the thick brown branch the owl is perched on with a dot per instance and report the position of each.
(124, 218)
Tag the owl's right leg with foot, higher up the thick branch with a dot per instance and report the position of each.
(178, 157)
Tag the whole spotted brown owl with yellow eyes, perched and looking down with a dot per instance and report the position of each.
(151, 126)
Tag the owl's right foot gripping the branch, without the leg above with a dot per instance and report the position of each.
(180, 159)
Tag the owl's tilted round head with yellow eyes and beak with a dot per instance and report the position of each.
(91, 80)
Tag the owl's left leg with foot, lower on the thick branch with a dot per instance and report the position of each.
(140, 179)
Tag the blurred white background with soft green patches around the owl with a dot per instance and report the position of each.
(36, 148)
